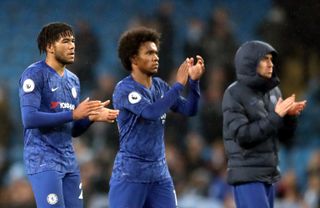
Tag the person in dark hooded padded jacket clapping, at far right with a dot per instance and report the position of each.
(255, 119)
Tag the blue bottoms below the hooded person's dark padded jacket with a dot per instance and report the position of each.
(252, 195)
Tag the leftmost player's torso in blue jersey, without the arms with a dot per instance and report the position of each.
(50, 148)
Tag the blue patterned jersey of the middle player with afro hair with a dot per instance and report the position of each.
(141, 157)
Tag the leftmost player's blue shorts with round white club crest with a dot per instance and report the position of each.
(54, 189)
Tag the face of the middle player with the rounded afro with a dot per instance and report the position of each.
(147, 60)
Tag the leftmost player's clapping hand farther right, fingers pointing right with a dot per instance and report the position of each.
(105, 114)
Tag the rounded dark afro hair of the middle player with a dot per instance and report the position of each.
(130, 42)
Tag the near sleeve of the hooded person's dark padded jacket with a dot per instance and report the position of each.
(238, 126)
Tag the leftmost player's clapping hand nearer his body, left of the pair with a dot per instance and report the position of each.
(87, 108)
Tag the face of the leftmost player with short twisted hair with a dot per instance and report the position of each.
(64, 50)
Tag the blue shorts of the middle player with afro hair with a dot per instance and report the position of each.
(124, 194)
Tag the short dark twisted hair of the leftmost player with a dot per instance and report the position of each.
(51, 33)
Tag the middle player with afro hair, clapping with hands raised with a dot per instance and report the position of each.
(140, 176)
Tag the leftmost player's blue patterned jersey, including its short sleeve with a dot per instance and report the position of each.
(49, 148)
